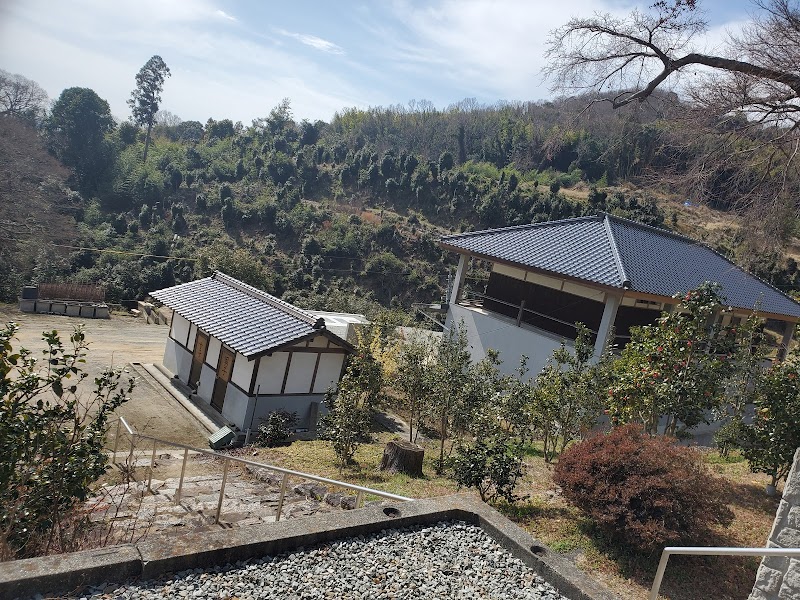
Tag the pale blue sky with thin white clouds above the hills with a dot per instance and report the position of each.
(238, 59)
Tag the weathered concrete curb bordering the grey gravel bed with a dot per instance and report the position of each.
(160, 555)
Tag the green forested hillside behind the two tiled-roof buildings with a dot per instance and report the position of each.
(342, 215)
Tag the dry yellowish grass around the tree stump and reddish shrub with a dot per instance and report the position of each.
(565, 530)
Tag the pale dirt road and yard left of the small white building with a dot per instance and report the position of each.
(118, 342)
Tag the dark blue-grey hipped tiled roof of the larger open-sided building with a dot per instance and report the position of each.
(620, 253)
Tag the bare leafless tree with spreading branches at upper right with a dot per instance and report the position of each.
(741, 108)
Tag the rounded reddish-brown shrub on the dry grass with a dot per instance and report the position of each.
(639, 490)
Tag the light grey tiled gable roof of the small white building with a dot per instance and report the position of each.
(246, 319)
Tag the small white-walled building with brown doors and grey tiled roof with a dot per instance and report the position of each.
(248, 353)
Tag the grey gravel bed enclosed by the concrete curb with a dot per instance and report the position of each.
(447, 560)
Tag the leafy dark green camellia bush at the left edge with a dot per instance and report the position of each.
(52, 437)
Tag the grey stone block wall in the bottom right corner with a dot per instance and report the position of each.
(779, 576)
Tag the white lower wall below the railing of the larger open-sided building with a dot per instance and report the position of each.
(486, 332)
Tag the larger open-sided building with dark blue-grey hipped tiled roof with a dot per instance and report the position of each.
(607, 272)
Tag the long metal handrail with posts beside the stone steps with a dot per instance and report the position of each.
(124, 429)
